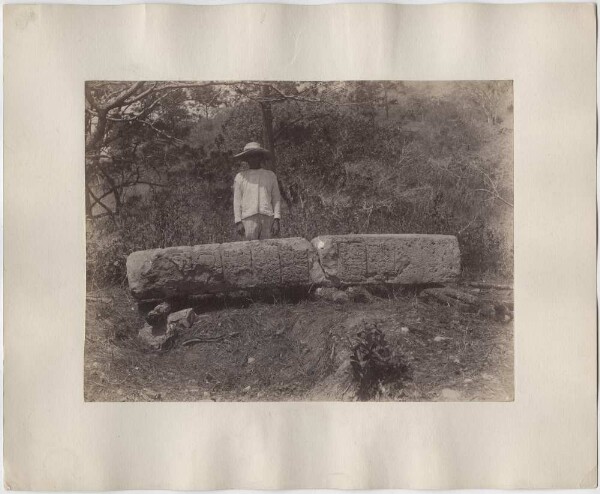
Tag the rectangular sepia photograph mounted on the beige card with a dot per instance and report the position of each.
(299, 241)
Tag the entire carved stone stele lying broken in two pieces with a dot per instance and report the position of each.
(329, 260)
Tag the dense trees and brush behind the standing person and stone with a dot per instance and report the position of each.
(351, 157)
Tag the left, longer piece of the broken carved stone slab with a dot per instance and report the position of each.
(178, 272)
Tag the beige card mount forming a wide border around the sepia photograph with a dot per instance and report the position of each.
(545, 438)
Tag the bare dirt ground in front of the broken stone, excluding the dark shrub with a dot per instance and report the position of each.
(290, 349)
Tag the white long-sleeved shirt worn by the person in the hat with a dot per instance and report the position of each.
(255, 192)
